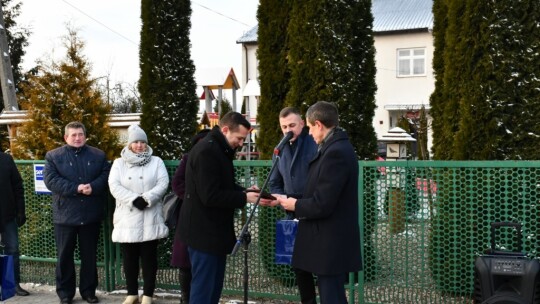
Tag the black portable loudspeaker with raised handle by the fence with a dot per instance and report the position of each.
(502, 277)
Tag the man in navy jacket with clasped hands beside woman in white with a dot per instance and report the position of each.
(77, 176)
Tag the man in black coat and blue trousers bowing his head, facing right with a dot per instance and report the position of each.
(206, 221)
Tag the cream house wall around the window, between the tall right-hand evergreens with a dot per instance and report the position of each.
(397, 94)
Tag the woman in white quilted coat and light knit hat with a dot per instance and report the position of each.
(138, 182)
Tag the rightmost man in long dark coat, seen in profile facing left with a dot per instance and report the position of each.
(328, 238)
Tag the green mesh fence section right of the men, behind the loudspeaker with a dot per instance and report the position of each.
(425, 222)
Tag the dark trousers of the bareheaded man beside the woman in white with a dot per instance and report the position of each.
(66, 239)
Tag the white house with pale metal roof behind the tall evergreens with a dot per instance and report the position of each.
(404, 50)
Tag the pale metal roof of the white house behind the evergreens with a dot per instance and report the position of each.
(388, 16)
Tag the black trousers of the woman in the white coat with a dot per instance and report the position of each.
(147, 253)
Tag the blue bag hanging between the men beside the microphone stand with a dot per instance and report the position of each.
(285, 236)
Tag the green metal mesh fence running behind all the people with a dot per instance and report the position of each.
(423, 224)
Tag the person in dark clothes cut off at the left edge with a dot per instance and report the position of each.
(12, 213)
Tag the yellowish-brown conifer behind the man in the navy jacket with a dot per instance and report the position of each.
(58, 94)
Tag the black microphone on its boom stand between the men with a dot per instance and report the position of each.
(245, 237)
